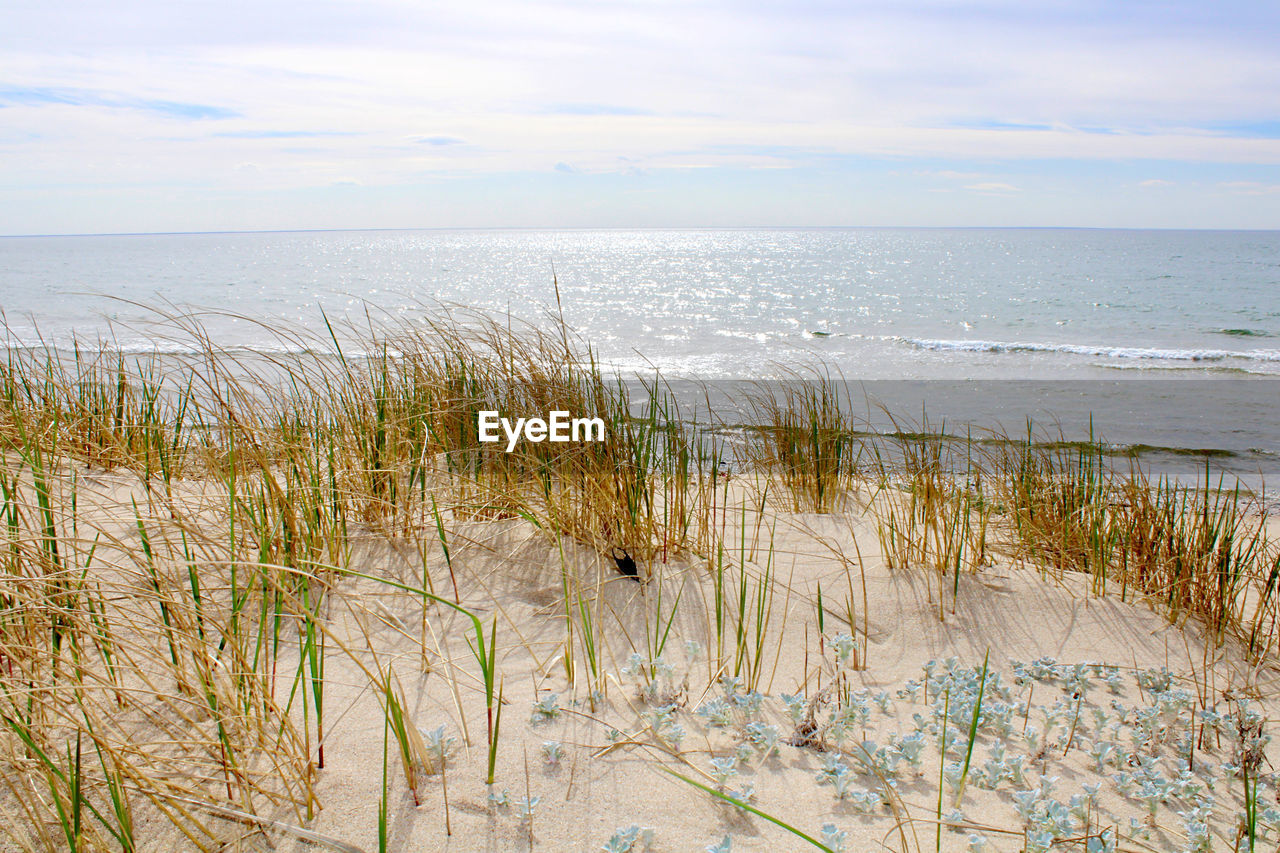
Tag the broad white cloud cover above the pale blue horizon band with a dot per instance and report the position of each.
(392, 92)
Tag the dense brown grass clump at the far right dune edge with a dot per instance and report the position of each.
(1197, 550)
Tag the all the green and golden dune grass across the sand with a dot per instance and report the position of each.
(185, 654)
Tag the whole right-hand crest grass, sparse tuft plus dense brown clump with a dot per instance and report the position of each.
(1197, 550)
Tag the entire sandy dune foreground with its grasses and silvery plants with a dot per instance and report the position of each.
(294, 601)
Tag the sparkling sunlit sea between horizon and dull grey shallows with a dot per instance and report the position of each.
(884, 304)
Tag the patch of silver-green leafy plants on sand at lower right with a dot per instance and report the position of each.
(1165, 765)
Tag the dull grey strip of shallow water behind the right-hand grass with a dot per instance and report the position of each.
(1171, 428)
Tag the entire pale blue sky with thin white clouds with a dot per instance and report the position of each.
(172, 116)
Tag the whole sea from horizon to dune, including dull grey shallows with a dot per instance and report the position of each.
(1164, 344)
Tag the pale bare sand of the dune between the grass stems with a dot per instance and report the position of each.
(610, 769)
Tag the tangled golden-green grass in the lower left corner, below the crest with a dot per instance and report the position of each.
(147, 663)
